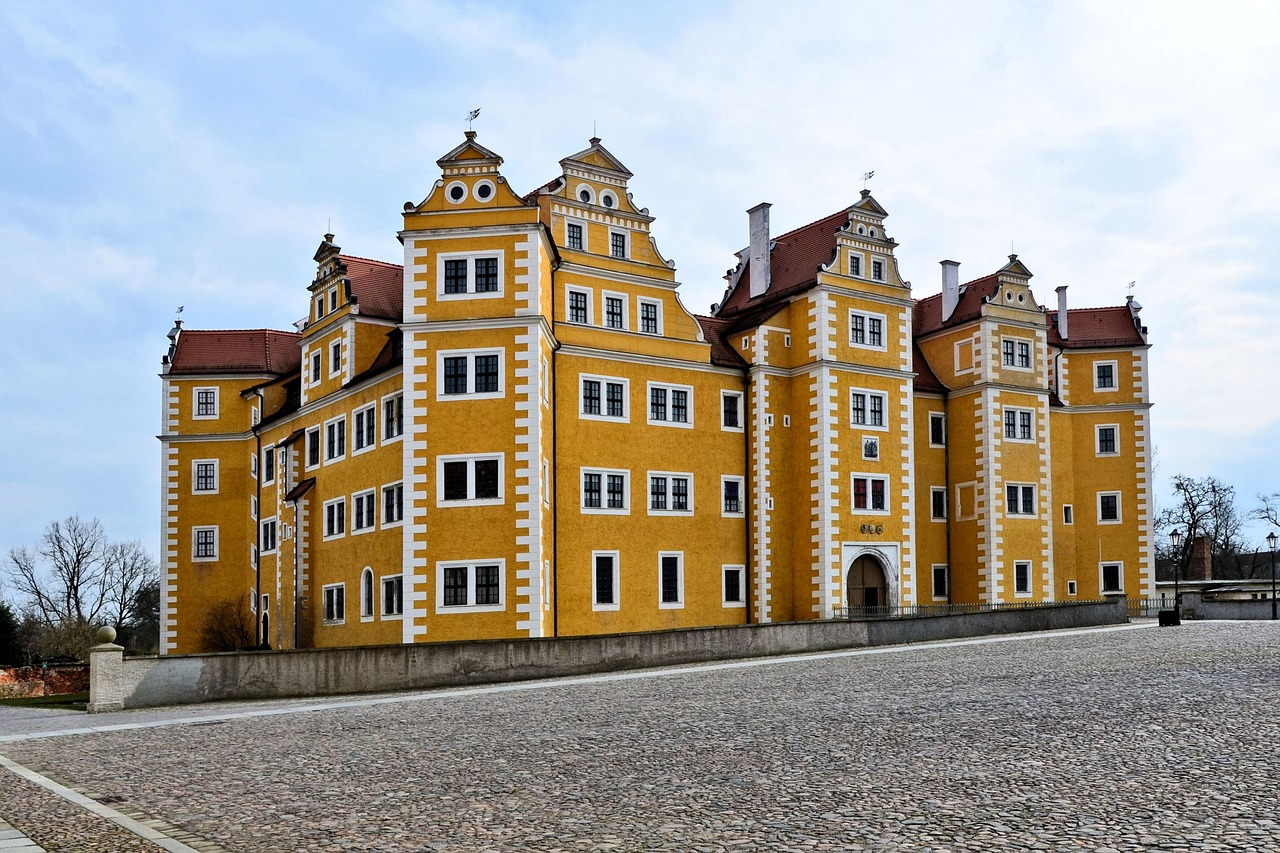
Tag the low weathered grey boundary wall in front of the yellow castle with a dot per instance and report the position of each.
(147, 682)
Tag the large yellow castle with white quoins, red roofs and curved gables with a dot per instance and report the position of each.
(520, 431)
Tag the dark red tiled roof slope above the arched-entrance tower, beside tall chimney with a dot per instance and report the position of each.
(794, 262)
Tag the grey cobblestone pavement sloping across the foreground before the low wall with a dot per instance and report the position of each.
(1144, 740)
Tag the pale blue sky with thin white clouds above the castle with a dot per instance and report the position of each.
(163, 156)
